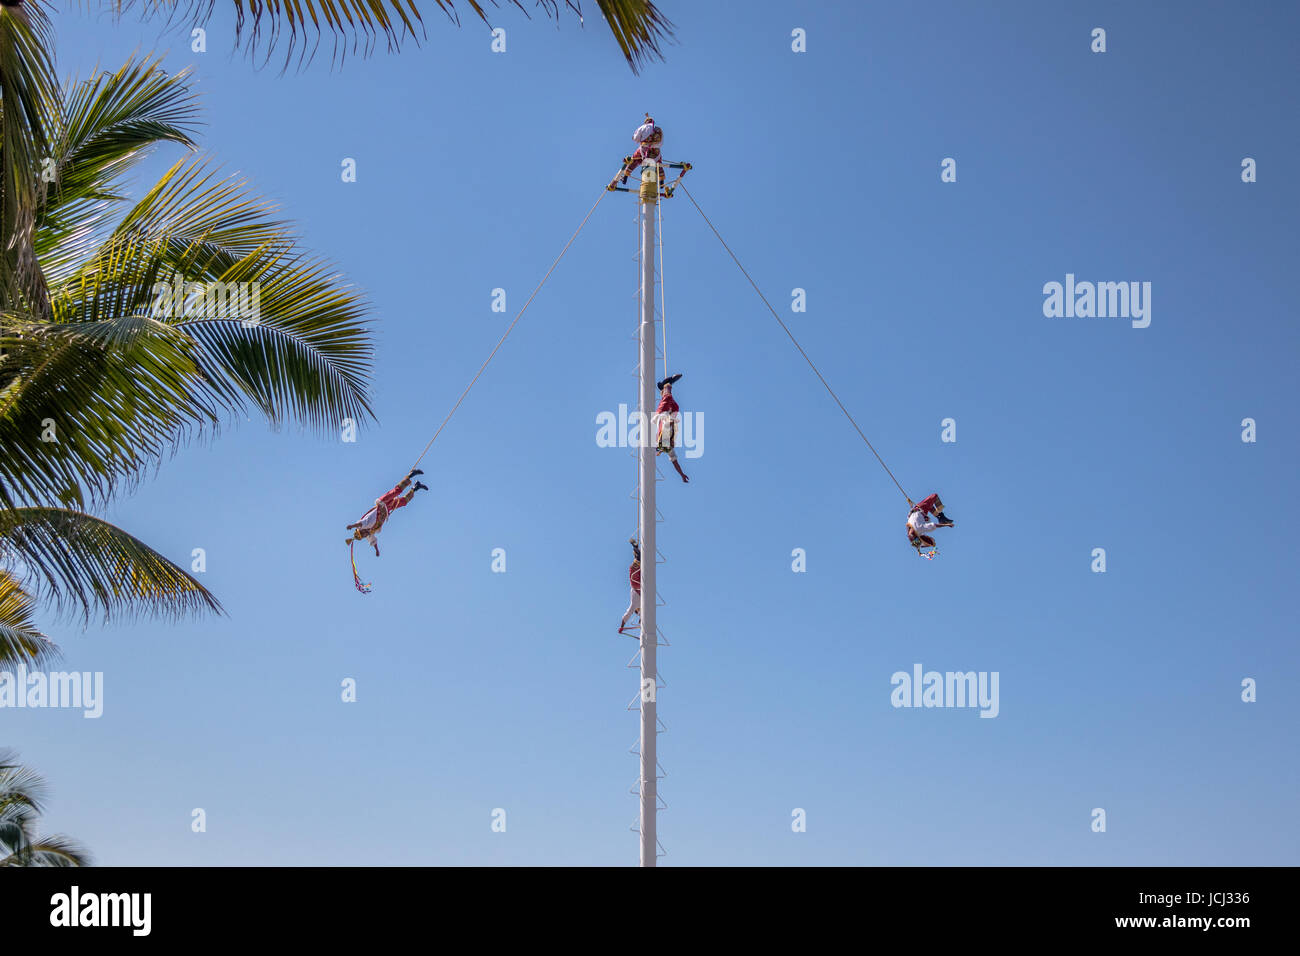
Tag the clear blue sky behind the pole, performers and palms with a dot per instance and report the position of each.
(925, 301)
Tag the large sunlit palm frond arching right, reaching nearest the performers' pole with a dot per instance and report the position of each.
(307, 354)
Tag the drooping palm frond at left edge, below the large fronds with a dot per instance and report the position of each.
(81, 563)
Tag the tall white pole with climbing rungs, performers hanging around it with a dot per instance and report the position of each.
(649, 630)
